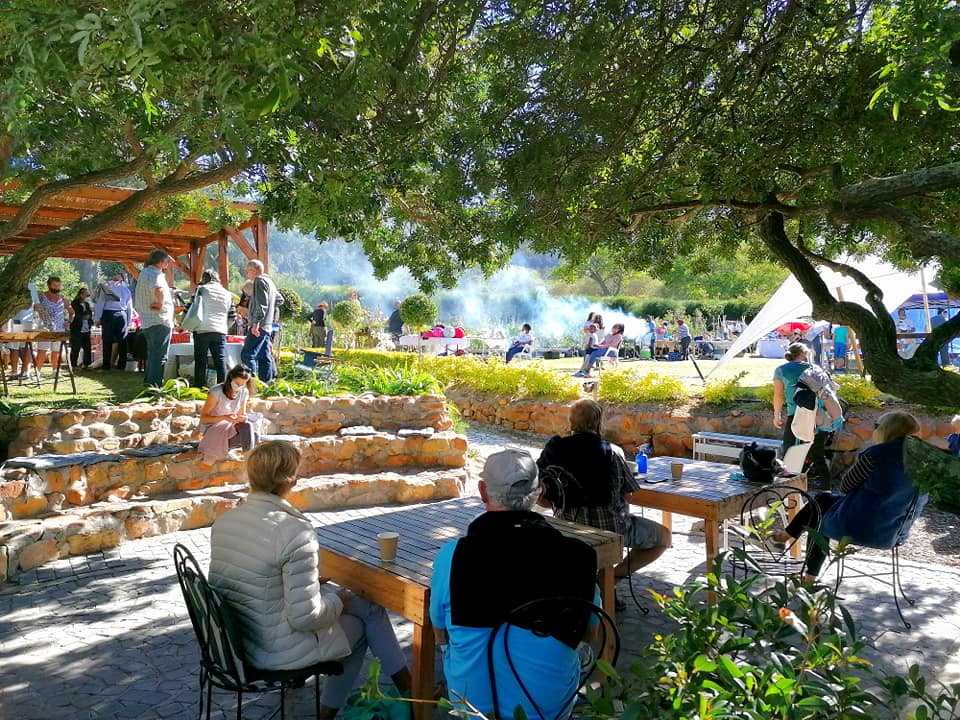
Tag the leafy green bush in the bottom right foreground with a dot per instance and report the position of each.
(761, 650)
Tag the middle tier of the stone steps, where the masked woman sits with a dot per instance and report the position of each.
(26, 493)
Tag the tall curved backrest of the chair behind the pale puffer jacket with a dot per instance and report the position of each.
(220, 648)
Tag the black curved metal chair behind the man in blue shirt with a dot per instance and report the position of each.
(566, 618)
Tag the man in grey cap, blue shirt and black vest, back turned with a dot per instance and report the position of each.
(510, 557)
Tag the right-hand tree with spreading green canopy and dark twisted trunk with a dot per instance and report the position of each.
(662, 130)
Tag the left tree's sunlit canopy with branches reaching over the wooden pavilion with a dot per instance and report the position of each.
(303, 103)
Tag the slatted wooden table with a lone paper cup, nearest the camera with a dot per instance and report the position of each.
(350, 556)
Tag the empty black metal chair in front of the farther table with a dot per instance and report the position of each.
(762, 515)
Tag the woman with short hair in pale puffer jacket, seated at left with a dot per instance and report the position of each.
(264, 561)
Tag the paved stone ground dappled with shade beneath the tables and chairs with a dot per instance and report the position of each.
(107, 635)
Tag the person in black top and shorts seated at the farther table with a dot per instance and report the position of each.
(596, 488)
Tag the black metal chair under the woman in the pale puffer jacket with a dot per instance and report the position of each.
(221, 658)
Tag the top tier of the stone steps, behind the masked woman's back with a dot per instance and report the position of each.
(112, 428)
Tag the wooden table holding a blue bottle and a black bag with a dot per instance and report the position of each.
(706, 491)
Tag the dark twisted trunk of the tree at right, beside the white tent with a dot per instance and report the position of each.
(918, 380)
